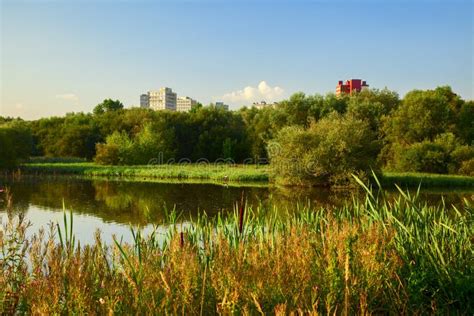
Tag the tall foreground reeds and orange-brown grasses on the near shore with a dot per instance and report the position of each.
(378, 257)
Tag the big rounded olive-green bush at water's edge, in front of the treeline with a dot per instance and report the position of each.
(327, 153)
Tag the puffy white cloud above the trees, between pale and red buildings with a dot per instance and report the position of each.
(262, 92)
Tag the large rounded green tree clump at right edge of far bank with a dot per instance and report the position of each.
(431, 131)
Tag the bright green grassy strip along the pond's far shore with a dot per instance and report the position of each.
(220, 174)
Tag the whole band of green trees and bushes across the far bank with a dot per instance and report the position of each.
(308, 138)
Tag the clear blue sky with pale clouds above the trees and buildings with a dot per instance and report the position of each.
(59, 57)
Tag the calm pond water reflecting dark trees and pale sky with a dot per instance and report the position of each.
(112, 206)
